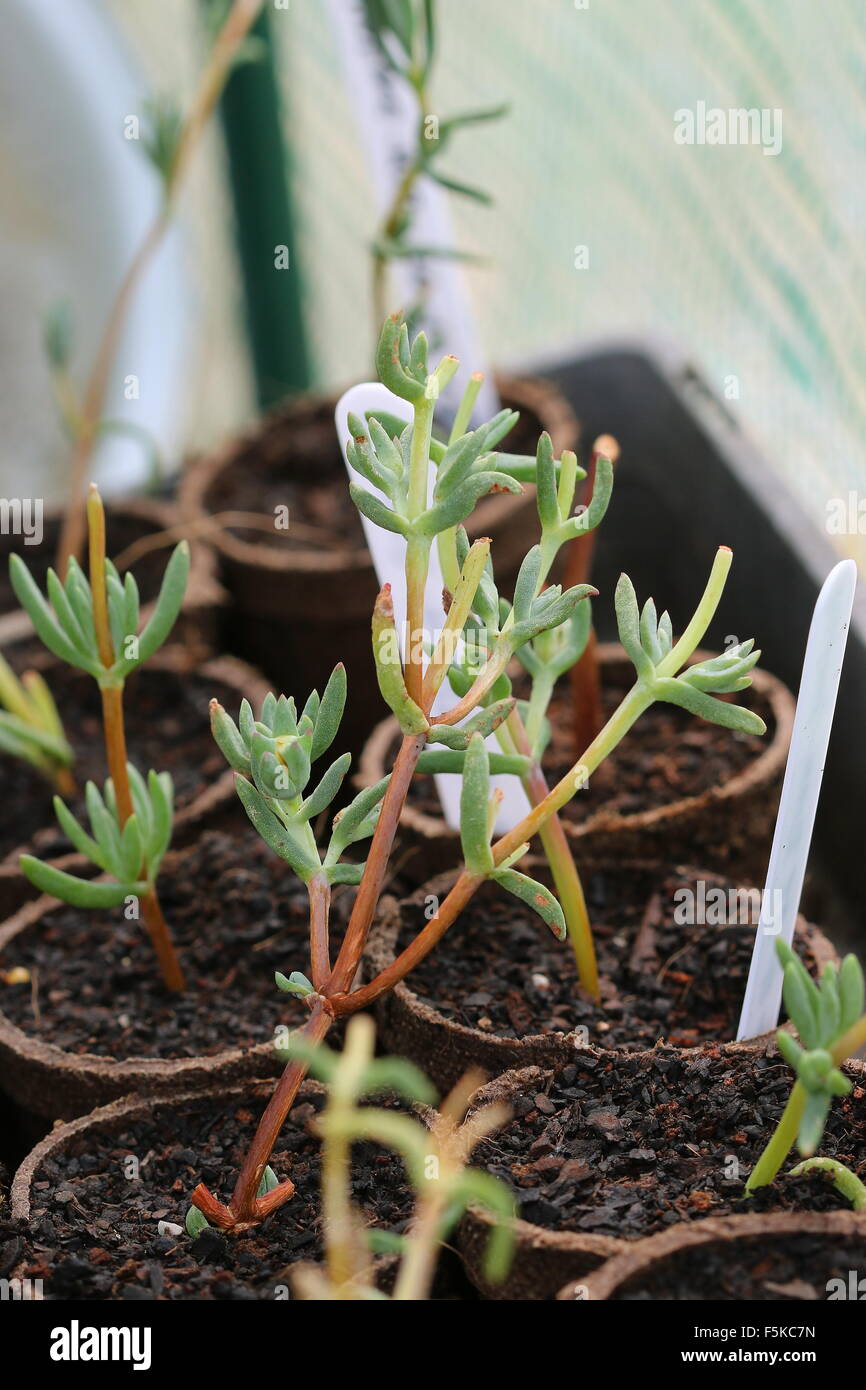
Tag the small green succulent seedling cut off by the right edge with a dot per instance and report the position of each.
(831, 1024)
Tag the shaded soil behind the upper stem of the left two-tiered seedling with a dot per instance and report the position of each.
(168, 729)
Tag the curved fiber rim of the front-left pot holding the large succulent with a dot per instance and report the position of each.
(124, 1110)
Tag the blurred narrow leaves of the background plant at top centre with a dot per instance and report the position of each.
(405, 34)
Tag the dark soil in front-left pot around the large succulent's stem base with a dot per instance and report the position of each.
(95, 1214)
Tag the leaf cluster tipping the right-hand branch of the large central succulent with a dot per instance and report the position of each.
(648, 640)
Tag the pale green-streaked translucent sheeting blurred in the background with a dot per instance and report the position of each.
(751, 265)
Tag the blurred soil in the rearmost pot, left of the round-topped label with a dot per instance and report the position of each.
(298, 464)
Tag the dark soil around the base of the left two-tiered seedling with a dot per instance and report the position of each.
(237, 914)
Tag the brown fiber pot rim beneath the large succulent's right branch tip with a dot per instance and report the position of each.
(764, 768)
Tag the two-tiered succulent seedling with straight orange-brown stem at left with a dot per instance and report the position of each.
(94, 626)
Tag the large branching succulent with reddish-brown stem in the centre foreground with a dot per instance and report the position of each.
(273, 757)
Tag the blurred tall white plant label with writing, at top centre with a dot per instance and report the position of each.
(387, 122)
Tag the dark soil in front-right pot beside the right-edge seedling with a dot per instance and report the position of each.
(632, 1146)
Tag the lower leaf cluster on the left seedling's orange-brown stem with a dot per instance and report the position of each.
(133, 856)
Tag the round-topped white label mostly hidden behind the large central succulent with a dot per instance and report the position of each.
(389, 554)
